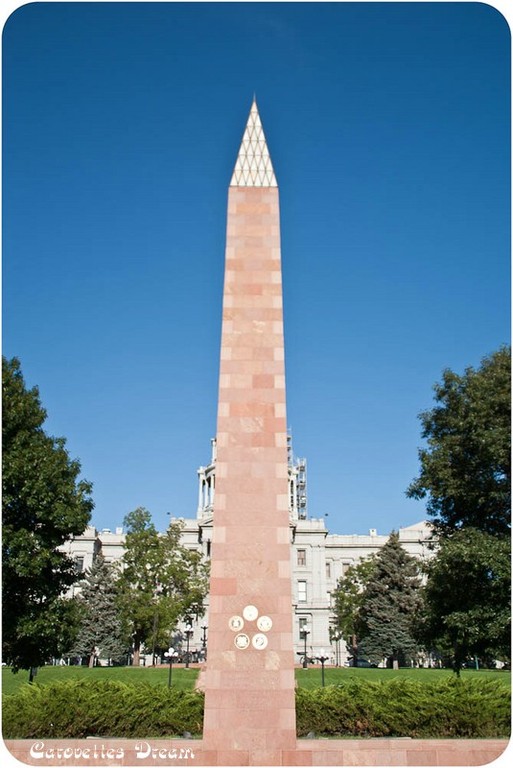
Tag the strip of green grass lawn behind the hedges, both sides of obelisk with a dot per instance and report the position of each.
(184, 679)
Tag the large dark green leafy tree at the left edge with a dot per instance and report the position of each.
(44, 504)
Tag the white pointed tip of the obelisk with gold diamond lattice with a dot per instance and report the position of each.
(253, 167)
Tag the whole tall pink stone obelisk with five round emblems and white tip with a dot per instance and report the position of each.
(249, 680)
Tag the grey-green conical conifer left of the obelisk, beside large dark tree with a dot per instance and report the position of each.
(100, 632)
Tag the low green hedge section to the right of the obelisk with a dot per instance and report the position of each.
(451, 708)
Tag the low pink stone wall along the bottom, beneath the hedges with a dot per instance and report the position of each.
(308, 752)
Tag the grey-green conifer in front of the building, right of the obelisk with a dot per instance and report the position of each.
(390, 602)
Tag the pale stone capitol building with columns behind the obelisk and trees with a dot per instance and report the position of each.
(319, 559)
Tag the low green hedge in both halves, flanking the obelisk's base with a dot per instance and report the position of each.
(450, 708)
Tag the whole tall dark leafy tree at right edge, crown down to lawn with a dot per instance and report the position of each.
(466, 477)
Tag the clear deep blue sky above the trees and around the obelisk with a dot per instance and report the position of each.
(388, 126)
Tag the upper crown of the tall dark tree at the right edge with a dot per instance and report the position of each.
(466, 467)
